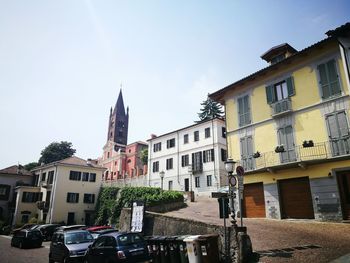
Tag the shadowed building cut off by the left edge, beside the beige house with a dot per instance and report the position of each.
(10, 178)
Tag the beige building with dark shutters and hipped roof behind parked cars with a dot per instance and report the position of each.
(64, 191)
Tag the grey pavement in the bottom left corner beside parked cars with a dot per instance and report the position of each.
(10, 254)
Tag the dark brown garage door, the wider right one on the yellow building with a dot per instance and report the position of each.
(295, 198)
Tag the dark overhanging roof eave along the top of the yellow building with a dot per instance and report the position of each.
(332, 34)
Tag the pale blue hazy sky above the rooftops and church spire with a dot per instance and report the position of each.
(62, 63)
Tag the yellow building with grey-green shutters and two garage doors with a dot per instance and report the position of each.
(288, 126)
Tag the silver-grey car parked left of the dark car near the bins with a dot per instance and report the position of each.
(68, 246)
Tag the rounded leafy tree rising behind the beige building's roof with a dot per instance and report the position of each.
(56, 151)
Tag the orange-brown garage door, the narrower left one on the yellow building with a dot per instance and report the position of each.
(254, 201)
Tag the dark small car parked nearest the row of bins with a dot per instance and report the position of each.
(118, 247)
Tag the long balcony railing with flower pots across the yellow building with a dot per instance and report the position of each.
(298, 155)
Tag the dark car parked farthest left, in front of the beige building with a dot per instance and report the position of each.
(26, 238)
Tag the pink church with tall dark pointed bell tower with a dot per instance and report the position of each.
(122, 161)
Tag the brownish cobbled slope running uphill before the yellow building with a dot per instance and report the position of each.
(280, 240)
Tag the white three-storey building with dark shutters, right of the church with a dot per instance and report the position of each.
(201, 146)
